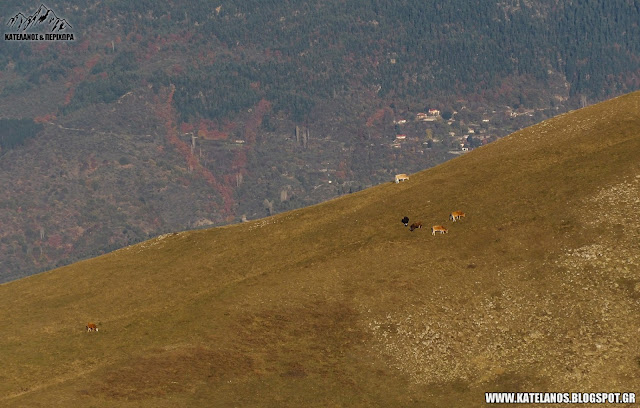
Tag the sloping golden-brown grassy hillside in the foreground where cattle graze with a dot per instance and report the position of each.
(338, 304)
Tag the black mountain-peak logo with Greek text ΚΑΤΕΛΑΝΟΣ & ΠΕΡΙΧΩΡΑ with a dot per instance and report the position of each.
(50, 26)
